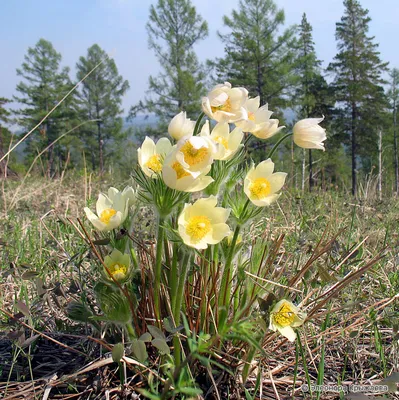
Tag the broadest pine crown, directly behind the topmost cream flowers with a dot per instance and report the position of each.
(256, 55)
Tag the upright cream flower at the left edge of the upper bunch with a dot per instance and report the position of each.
(151, 155)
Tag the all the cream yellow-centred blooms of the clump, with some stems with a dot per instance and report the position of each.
(193, 158)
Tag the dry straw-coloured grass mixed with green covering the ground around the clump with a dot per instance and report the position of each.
(359, 344)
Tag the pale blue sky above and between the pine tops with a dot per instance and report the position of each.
(118, 26)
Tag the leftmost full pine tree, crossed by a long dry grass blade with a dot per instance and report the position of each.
(44, 85)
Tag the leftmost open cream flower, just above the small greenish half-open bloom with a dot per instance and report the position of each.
(111, 210)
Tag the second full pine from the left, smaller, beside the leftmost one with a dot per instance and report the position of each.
(100, 99)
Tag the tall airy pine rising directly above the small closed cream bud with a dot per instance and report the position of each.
(174, 28)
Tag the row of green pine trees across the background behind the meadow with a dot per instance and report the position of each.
(357, 93)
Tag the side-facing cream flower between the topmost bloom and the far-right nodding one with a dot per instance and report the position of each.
(259, 122)
